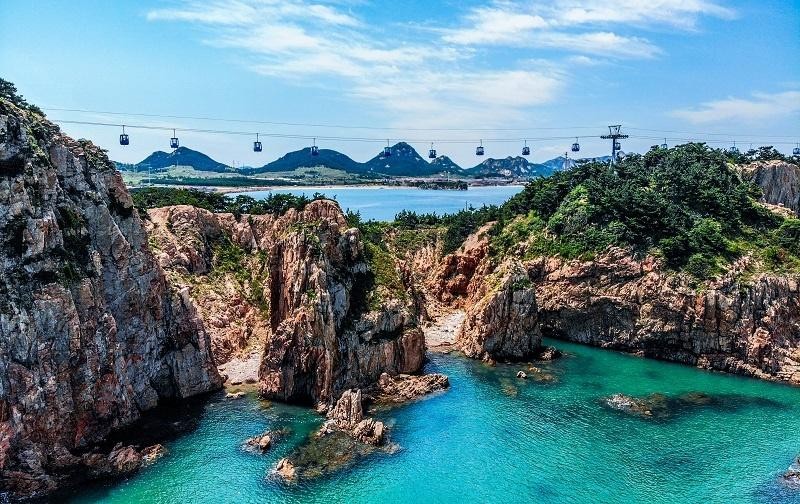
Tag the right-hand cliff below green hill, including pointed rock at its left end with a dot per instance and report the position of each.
(734, 323)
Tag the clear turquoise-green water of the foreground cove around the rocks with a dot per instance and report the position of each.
(494, 438)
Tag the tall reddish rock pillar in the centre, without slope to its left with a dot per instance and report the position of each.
(322, 342)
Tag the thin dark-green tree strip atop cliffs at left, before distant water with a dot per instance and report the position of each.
(278, 204)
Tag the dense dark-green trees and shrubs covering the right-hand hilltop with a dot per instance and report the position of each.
(684, 204)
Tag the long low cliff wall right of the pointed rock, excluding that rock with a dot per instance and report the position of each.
(619, 302)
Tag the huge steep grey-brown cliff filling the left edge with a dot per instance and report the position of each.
(91, 333)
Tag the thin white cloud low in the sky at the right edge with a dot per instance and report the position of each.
(761, 106)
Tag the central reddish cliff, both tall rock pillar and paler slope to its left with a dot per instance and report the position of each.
(298, 286)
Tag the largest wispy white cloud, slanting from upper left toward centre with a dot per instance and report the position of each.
(415, 80)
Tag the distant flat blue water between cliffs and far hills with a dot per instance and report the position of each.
(383, 204)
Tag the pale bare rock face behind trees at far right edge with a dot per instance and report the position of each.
(779, 181)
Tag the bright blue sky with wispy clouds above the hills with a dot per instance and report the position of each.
(356, 73)
